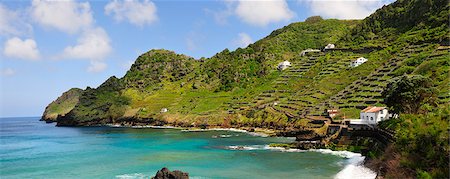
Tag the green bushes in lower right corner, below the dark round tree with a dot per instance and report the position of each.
(422, 142)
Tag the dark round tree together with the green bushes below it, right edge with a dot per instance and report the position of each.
(421, 130)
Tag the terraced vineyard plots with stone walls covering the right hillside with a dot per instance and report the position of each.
(298, 92)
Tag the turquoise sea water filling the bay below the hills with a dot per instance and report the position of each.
(33, 149)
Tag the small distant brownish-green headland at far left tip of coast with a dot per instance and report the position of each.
(63, 105)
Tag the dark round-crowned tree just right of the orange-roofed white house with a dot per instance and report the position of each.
(410, 94)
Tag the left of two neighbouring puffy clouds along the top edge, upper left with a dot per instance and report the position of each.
(67, 16)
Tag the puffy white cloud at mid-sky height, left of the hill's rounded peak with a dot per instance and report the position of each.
(94, 44)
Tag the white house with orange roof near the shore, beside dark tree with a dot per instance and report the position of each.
(371, 115)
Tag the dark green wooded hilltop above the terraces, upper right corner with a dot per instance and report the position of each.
(387, 23)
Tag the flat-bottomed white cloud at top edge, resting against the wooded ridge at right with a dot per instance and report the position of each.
(345, 9)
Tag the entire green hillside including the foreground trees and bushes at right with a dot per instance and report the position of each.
(406, 40)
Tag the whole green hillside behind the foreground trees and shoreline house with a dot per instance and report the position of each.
(244, 87)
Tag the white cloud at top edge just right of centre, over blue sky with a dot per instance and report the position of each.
(261, 13)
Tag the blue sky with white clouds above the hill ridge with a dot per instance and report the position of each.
(48, 47)
